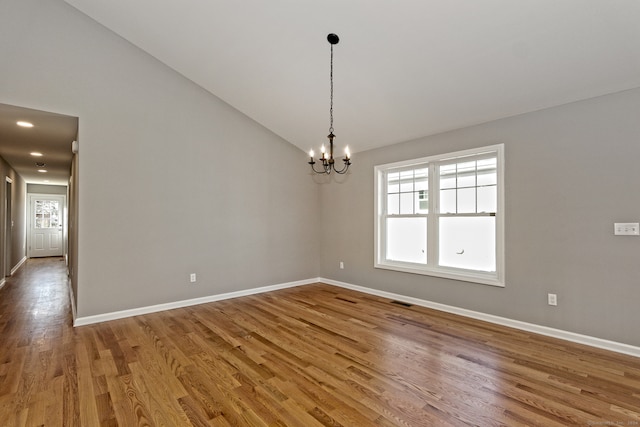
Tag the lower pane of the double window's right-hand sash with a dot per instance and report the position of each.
(468, 243)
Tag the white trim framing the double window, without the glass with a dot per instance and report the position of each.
(493, 279)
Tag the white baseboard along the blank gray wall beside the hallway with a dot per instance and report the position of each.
(87, 320)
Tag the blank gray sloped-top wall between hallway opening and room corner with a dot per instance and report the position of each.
(173, 180)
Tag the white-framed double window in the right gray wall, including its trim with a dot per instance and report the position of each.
(443, 216)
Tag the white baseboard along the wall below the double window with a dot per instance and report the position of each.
(529, 327)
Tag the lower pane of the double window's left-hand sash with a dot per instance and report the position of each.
(407, 239)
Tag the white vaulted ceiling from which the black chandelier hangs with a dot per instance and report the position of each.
(402, 70)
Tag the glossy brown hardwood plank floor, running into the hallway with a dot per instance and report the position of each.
(308, 356)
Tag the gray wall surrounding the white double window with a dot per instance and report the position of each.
(571, 172)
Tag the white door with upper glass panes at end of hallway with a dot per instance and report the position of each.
(46, 224)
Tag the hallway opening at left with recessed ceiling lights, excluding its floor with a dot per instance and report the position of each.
(38, 149)
